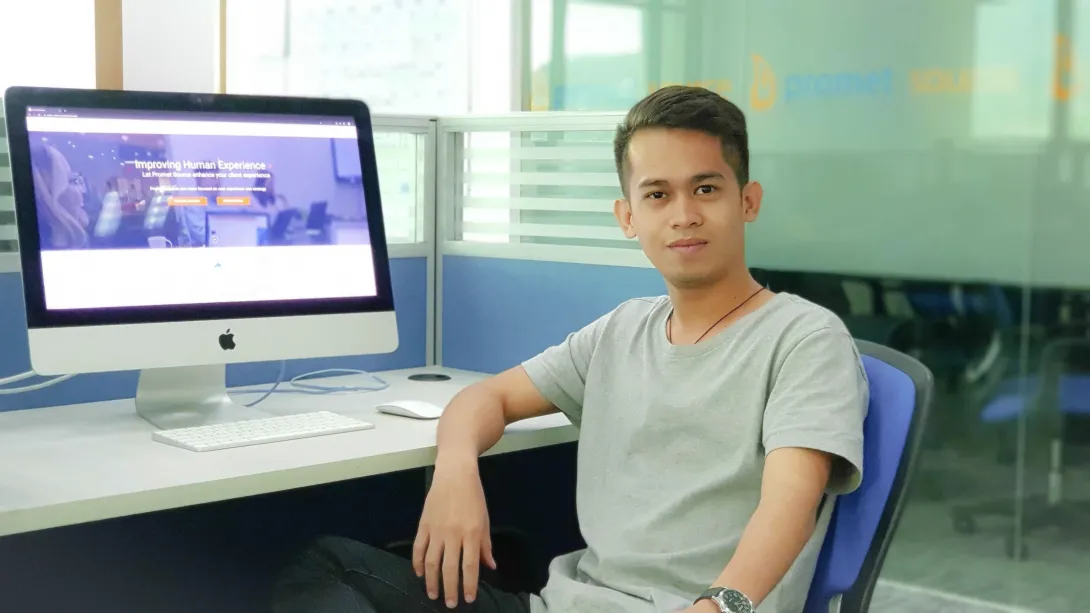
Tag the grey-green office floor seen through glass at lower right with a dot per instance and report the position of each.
(932, 566)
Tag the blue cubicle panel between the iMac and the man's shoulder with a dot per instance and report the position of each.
(499, 312)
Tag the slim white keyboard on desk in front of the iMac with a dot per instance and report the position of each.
(258, 431)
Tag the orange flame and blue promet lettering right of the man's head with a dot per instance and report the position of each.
(766, 86)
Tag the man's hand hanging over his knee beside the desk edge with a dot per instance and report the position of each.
(454, 535)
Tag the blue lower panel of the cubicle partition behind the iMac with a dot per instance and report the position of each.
(410, 298)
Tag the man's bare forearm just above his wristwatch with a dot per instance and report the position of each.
(770, 545)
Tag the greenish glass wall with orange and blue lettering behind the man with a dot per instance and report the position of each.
(927, 169)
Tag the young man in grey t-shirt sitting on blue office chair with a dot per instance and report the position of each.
(716, 424)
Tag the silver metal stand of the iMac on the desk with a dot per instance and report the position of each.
(189, 396)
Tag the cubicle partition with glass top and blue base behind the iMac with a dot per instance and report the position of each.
(406, 153)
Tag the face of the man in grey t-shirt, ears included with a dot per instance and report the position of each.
(686, 207)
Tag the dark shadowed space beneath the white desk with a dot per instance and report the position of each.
(224, 558)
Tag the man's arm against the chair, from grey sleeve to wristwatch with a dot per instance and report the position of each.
(814, 441)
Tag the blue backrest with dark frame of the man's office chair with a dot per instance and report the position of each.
(864, 522)
